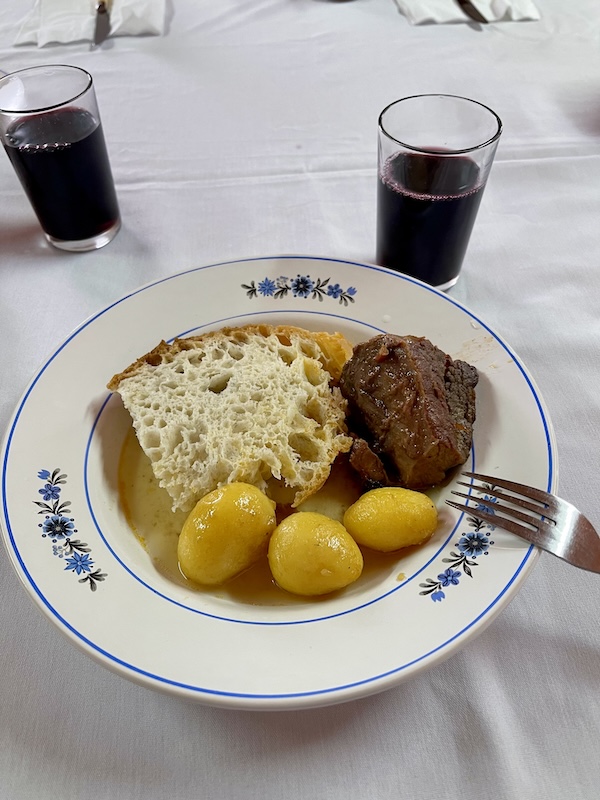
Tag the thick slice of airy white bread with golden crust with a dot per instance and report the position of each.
(256, 404)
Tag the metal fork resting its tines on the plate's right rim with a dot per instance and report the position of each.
(555, 525)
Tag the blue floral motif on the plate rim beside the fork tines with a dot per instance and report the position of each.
(470, 546)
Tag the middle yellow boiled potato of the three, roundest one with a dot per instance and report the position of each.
(311, 554)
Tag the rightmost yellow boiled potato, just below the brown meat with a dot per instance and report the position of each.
(391, 518)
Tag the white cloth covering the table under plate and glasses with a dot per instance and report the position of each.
(250, 129)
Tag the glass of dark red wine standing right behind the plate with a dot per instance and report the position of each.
(435, 152)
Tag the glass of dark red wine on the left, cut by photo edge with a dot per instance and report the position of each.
(52, 134)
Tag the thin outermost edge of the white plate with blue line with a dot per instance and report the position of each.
(256, 701)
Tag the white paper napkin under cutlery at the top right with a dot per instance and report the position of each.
(420, 12)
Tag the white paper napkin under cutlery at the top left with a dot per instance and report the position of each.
(53, 21)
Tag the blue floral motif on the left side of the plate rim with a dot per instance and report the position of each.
(59, 527)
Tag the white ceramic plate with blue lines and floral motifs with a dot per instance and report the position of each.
(76, 556)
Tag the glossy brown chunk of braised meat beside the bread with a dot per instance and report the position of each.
(411, 408)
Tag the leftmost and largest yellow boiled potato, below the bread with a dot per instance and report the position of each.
(225, 533)
